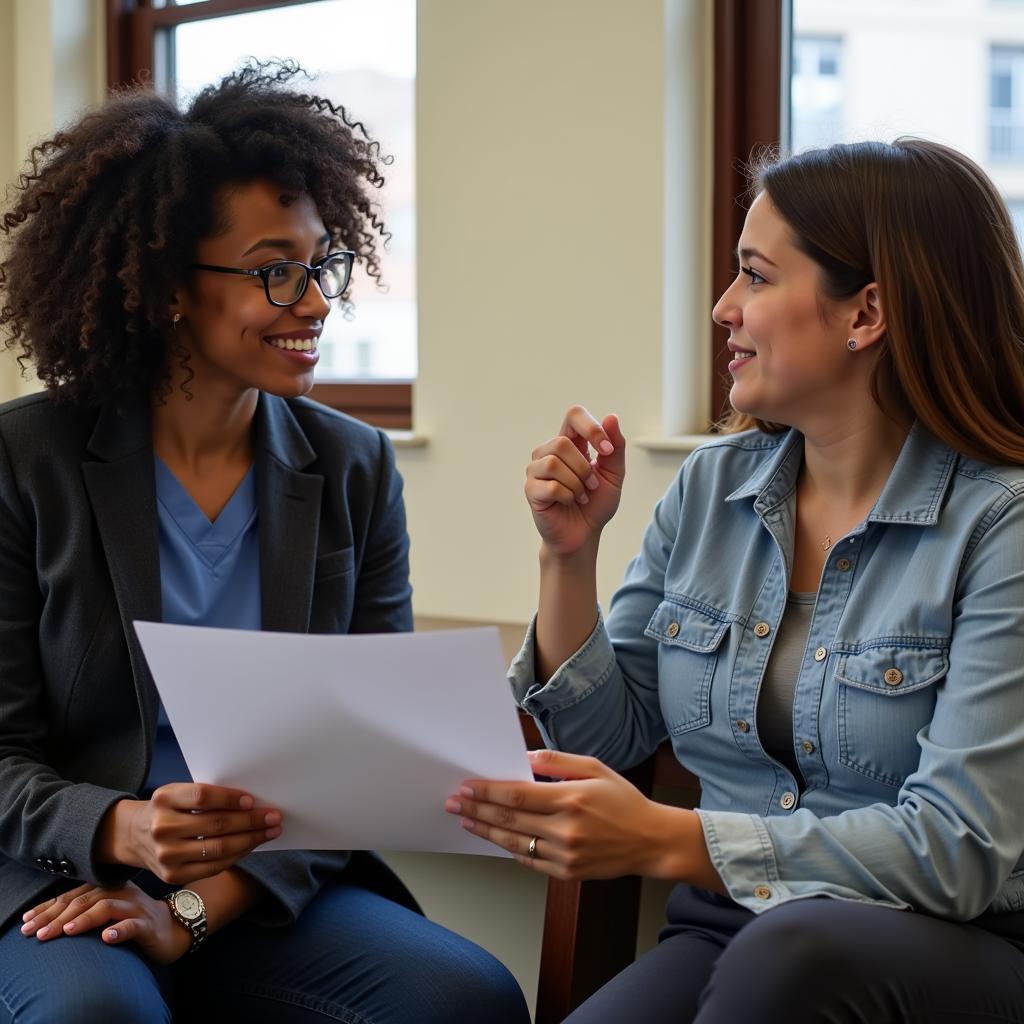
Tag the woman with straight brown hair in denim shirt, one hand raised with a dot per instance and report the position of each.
(825, 619)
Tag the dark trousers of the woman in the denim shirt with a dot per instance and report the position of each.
(815, 962)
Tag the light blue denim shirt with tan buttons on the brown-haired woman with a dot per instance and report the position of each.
(909, 711)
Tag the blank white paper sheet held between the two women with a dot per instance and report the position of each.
(358, 740)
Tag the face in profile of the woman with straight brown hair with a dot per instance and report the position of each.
(790, 364)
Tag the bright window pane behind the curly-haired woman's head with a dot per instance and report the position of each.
(363, 54)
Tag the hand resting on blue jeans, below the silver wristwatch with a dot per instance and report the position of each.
(133, 915)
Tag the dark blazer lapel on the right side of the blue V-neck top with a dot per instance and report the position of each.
(289, 518)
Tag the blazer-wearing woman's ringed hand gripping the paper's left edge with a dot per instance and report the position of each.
(186, 832)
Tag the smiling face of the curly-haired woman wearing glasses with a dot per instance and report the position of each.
(236, 339)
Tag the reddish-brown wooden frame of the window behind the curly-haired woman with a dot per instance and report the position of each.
(132, 29)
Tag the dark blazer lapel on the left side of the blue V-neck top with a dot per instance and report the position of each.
(122, 493)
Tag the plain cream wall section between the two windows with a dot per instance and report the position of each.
(540, 192)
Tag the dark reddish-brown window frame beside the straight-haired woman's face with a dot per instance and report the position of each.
(750, 36)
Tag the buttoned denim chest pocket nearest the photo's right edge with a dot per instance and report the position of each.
(886, 697)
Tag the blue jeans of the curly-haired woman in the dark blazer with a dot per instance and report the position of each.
(353, 957)
